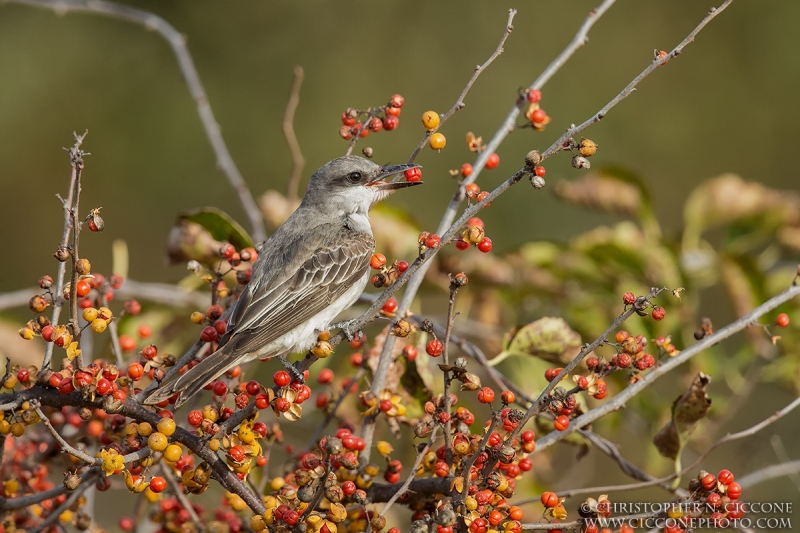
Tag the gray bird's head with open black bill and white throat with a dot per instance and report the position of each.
(354, 183)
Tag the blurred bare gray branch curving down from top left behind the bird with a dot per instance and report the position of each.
(177, 42)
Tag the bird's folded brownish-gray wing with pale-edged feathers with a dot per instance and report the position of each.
(283, 304)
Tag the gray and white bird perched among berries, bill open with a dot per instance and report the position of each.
(311, 269)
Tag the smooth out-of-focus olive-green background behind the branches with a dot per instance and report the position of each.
(728, 104)
